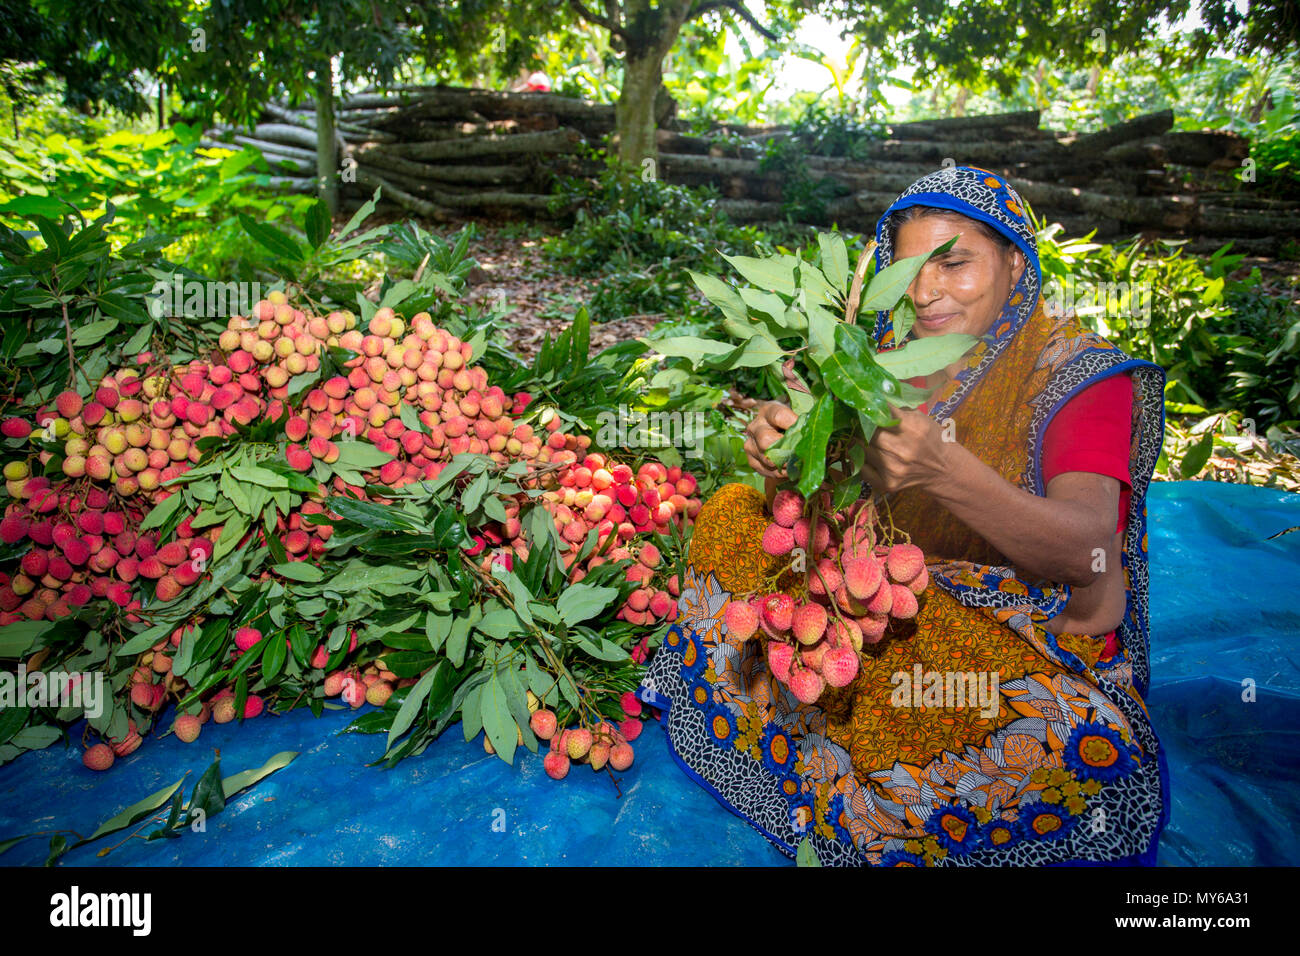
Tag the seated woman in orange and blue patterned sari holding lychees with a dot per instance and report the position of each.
(1011, 481)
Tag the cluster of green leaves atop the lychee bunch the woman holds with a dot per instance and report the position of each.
(795, 315)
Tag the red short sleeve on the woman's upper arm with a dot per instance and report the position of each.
(1093, 432)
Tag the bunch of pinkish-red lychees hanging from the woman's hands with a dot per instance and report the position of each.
(853, 586)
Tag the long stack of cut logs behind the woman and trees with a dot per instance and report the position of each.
(448, 153)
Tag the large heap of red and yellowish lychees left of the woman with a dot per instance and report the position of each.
(140, 429)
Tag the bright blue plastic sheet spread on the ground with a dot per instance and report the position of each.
(1224, 626)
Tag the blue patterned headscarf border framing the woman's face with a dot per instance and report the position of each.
(989, 198)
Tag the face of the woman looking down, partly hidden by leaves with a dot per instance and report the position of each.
(964, 289)
